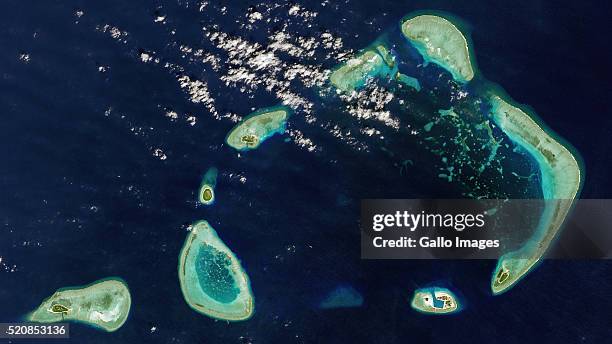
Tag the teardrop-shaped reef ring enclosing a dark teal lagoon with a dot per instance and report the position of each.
(212, 279)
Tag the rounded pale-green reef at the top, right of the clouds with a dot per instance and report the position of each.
(441, 42)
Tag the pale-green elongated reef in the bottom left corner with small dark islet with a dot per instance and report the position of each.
(104, 304)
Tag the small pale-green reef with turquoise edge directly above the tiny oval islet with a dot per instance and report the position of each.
(257, 127)
